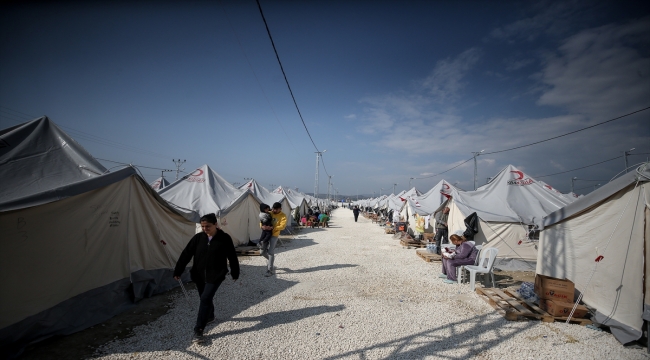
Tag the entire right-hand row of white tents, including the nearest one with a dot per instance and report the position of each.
(599, 241)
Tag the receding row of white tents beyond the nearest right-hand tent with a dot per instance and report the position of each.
(510, 209)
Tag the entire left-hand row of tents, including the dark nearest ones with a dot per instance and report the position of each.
(81, 244)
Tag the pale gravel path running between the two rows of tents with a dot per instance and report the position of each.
(351, 292)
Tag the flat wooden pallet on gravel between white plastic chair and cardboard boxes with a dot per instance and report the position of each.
(513, 307)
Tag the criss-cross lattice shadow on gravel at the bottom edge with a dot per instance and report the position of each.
(465, 342)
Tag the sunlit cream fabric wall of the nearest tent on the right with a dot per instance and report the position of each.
(568, 250)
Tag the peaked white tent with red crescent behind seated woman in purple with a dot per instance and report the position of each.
(508, 208)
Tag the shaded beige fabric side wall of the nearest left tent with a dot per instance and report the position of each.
(58, 250)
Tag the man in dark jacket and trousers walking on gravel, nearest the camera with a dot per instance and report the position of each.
(212, 250)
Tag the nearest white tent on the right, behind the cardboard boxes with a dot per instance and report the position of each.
(601, 243)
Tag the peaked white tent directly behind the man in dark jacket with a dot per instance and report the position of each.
(205, 192)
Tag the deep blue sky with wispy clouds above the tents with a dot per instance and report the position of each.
(392, 90)
